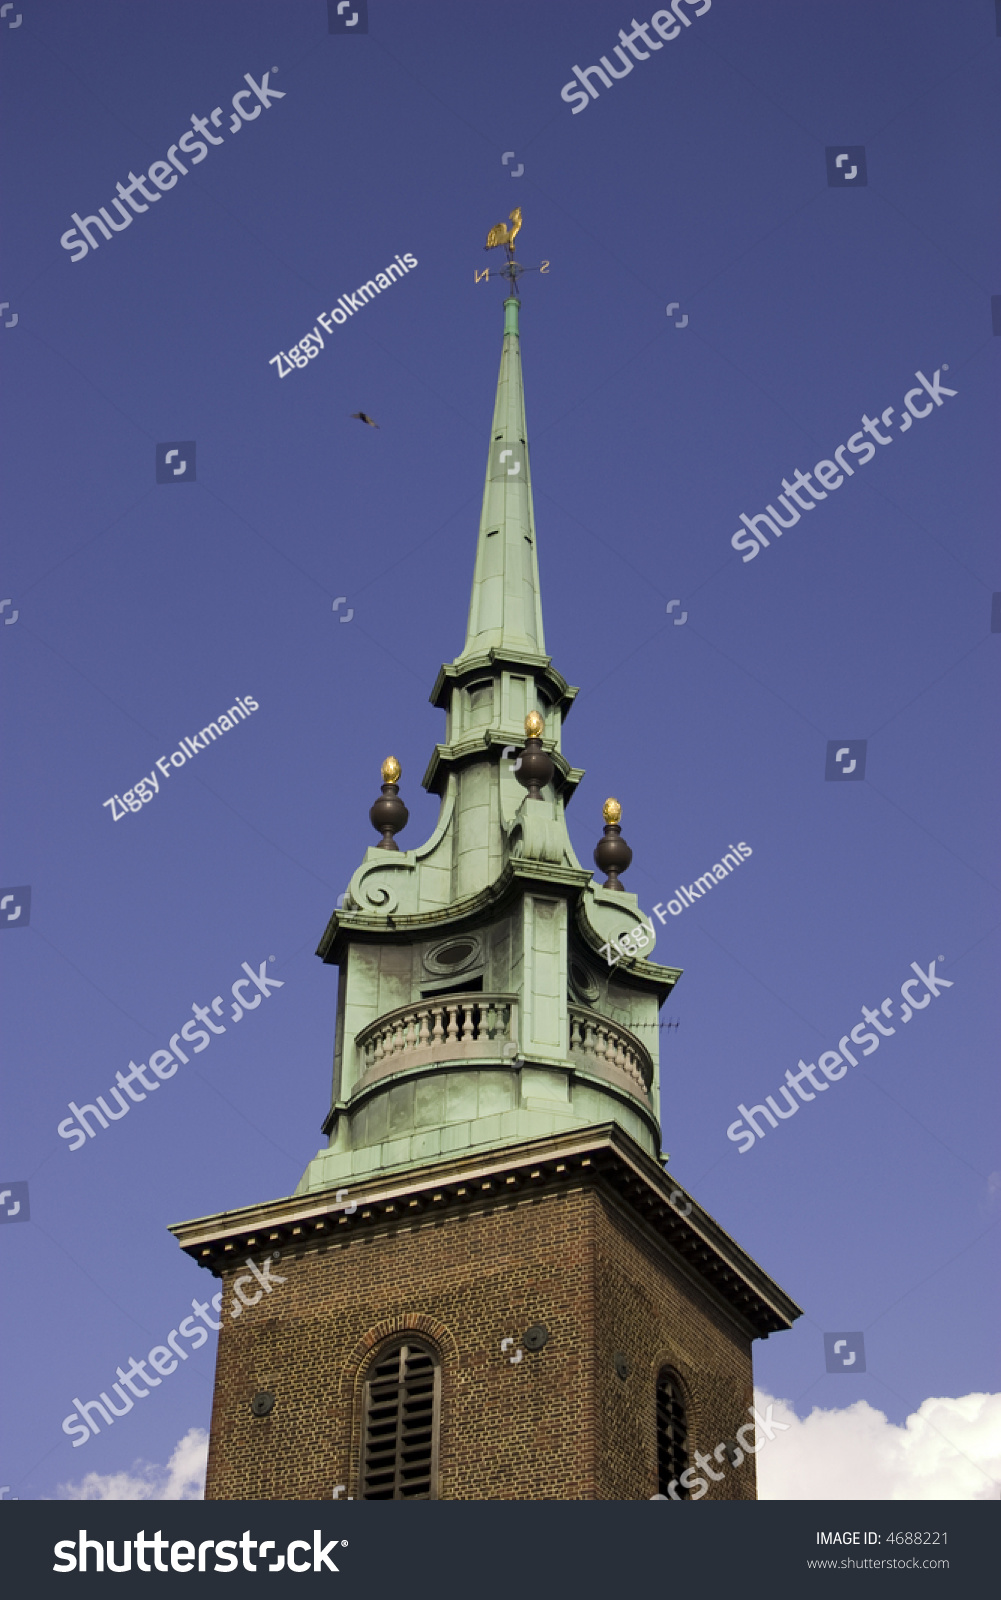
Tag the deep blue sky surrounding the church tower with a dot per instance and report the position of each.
(145, 609)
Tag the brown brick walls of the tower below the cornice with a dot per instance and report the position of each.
(559, 1425)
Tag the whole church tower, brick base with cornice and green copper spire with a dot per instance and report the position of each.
(485, 1286)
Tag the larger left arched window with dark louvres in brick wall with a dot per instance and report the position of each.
(401, 1441)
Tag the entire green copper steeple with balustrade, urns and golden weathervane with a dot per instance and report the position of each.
(479, 1004)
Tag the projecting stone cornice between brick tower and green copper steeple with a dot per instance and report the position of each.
(604, 1156)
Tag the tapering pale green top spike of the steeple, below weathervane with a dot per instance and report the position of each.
(506, 609)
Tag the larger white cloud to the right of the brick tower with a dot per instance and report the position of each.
(946, 1450)
